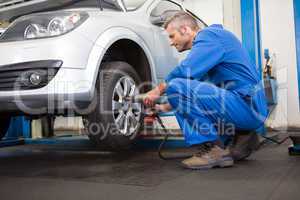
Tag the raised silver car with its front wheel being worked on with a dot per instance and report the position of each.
(86, 58)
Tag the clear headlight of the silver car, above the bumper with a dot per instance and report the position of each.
(43, 25)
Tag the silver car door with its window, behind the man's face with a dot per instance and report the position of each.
(166, 57)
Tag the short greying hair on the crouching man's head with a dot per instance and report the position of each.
(182, 18)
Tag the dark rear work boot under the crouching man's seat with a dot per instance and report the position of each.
(243, 144)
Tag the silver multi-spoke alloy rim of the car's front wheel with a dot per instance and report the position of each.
(126, 114)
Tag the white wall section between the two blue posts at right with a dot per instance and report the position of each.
(278, 35)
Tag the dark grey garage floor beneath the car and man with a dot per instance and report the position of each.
(55, 172)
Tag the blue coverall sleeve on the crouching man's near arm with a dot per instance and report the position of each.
(207, 52)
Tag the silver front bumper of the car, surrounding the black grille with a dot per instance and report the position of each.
(72, 87)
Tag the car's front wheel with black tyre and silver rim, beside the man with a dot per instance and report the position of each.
(116, 122)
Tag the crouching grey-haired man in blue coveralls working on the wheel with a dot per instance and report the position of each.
(217, 83)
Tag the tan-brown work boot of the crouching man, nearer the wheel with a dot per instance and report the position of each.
(209, 156)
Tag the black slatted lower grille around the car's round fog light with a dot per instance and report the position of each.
(17, 77)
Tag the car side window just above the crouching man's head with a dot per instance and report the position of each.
(164, 7)
